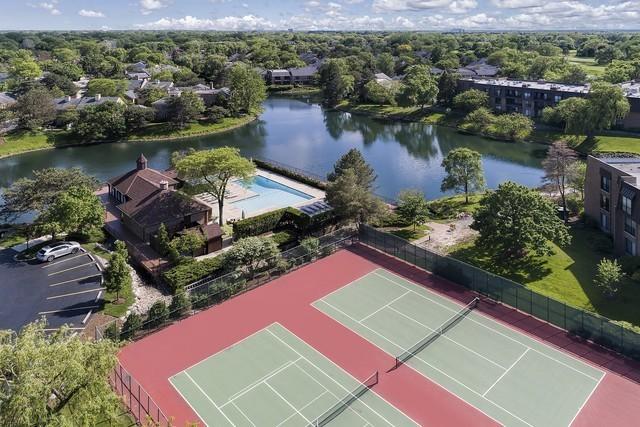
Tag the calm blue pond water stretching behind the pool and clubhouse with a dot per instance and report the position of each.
(300, 133)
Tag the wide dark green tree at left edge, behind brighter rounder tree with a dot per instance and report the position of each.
(39, 192)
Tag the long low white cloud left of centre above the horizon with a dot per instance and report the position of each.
(234, 23)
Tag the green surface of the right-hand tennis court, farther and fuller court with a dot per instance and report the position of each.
(509, 376)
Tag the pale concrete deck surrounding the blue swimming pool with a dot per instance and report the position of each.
(238, 193)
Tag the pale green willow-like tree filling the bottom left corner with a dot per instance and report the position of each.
(56, 379)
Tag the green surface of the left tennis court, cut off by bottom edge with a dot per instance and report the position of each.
(272, 378)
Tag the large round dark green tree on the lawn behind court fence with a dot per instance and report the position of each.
(514, 221)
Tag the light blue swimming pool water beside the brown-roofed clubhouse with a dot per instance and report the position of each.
(270, 194)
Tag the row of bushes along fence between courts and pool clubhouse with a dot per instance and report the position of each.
(211, 291)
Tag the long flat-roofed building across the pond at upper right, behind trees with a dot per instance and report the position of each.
(531, 97)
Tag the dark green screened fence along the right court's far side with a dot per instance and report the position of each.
(598, 329)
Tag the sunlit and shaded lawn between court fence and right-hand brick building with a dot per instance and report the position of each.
(567, 275)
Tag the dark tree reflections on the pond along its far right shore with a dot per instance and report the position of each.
(426, 141)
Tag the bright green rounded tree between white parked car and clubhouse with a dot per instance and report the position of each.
(77, 209)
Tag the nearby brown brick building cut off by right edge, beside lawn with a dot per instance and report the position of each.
(612, 200)
